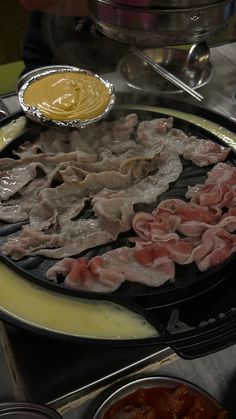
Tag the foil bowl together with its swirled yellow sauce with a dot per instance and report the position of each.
(66, 97)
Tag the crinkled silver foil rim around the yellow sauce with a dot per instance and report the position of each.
(36, 115)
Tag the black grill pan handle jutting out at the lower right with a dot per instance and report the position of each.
(209, 339)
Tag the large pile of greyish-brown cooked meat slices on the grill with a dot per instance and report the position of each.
(115, 165)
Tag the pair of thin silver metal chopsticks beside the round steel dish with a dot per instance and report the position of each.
(164, 73)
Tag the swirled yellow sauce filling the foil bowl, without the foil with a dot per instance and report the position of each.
(68, 96)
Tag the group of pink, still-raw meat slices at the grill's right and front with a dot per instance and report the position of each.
(208, 241)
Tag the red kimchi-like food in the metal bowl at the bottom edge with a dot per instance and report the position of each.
(164, 403)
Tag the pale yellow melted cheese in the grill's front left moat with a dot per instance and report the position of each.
(46, 309)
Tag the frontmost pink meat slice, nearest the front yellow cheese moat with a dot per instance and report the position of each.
(106, 273)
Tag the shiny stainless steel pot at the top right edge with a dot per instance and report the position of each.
(155, 26)
